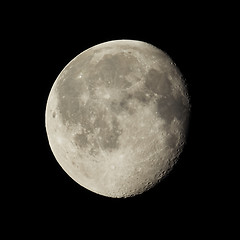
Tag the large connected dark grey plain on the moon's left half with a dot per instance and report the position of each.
(73, 112)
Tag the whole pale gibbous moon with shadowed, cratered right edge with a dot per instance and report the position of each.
(117, 117)
